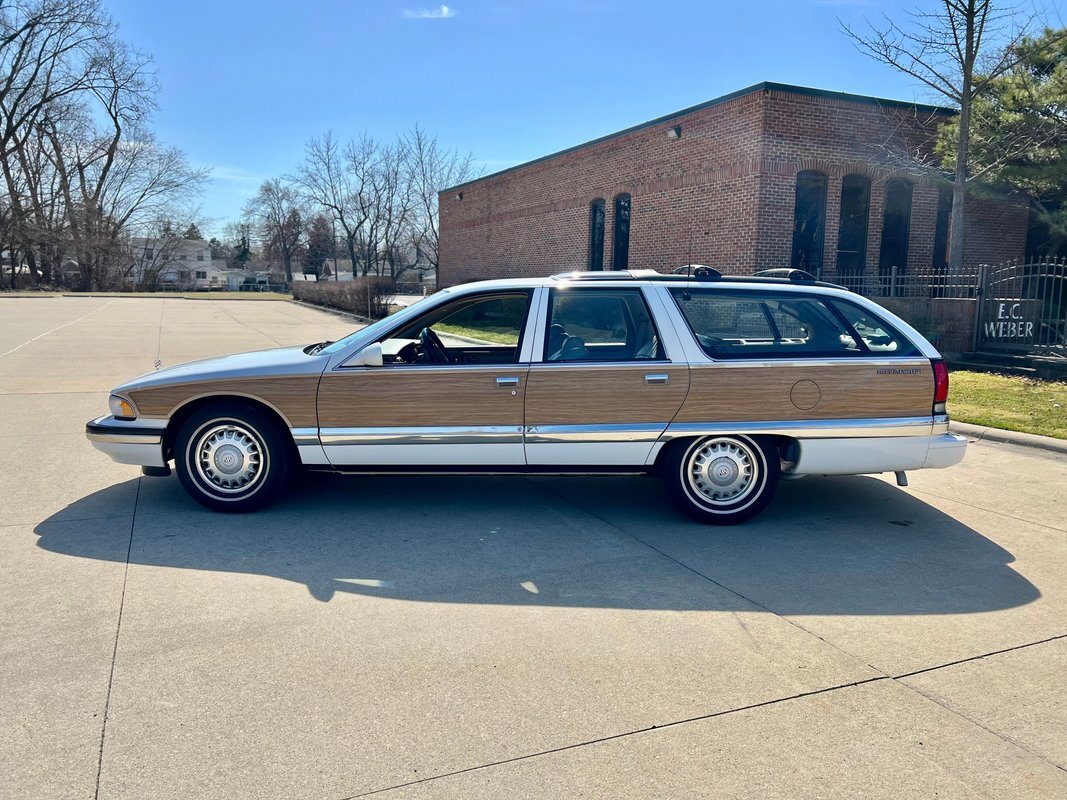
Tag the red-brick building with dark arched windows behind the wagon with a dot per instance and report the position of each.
(770, 177)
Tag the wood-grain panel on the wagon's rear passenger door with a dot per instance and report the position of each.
(584, 395)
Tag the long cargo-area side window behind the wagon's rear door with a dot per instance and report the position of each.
(738, 325)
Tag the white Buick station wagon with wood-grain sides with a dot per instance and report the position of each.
(722, 386)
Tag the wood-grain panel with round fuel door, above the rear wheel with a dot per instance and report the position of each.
(846, 392)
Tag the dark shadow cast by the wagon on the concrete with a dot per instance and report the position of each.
(825, 547)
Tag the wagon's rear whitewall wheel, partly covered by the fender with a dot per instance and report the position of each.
(722, 481)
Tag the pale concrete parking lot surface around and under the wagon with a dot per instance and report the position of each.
(474, 637)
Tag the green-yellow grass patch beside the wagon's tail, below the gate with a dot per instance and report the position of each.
(1010, 403)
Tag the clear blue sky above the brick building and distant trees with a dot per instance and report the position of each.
(247, 83)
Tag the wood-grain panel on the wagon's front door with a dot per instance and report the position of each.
(401, 397)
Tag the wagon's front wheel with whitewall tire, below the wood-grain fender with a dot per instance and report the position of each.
(232, 458)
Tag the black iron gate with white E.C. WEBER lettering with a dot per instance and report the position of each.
(1023, 309)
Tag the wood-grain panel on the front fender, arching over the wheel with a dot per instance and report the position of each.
(293, 396)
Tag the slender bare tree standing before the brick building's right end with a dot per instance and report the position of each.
(955, 52)
